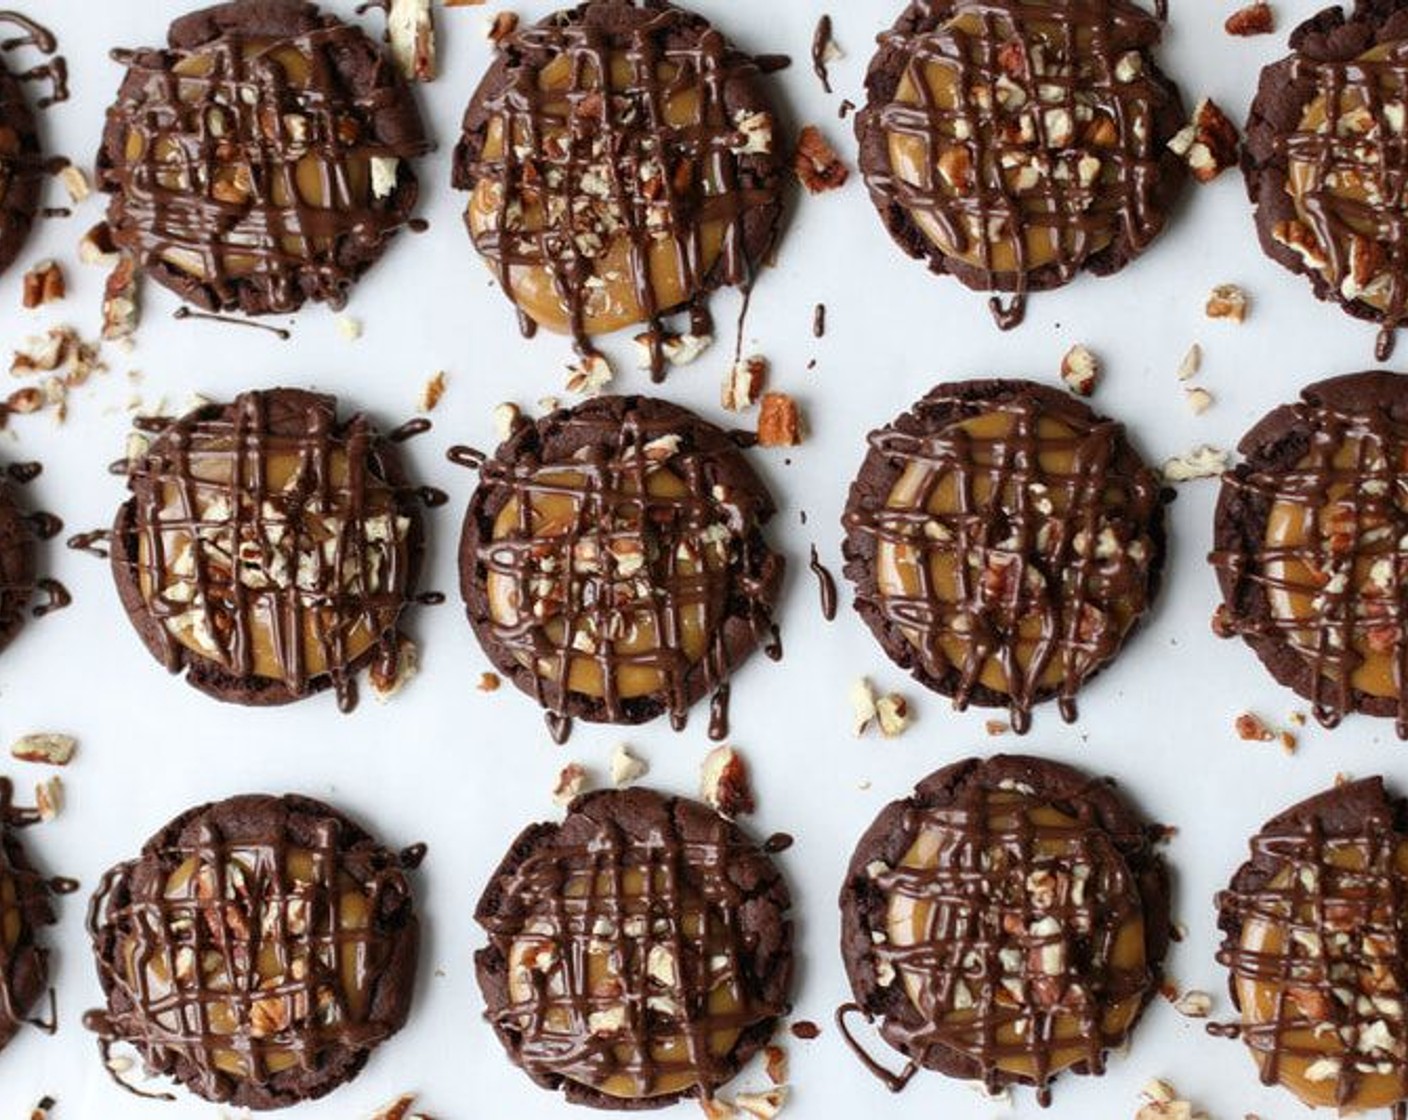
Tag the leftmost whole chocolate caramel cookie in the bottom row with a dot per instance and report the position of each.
(257, 952)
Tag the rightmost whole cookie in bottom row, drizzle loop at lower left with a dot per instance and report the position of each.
(1006, 923)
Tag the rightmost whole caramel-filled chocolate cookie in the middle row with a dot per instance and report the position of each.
(1005, 542)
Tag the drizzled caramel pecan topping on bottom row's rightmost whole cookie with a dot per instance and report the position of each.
(1017, 932)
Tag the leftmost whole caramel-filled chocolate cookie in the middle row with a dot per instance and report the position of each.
(270, 547)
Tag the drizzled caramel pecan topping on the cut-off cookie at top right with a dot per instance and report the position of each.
(1345, 174)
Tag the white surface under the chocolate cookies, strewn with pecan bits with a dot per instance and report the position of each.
(465, 771)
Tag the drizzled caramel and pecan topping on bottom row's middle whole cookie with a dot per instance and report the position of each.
(629, 970)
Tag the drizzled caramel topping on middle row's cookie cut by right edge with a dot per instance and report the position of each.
(1330, 563)
